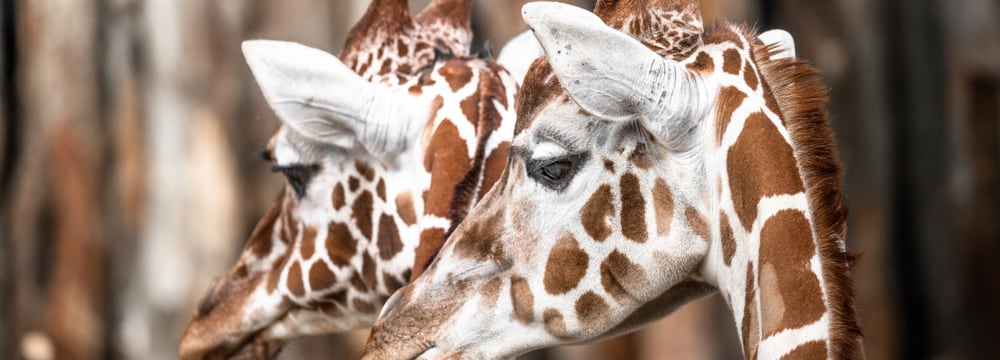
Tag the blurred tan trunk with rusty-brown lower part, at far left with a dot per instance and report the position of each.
(58, 246)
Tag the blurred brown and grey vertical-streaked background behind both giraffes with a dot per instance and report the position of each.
(128, 175)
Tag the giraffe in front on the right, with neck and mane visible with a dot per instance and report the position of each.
(653, 162)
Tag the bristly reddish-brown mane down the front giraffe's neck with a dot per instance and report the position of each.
(802, 96)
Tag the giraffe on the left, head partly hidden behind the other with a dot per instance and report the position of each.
(385, 148)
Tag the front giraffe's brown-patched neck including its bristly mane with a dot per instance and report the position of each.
(780, 261)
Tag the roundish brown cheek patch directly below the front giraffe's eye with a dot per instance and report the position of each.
(566, 266)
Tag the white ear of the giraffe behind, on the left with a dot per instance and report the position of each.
(320, 98)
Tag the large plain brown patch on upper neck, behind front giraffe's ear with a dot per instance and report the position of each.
(760, 164)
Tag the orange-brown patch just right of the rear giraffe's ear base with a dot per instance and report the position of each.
(447, 160)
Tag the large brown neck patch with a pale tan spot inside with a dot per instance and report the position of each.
(793, 297)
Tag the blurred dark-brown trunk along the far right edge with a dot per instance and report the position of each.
(970, 42)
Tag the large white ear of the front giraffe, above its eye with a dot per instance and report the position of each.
(613, 75)
